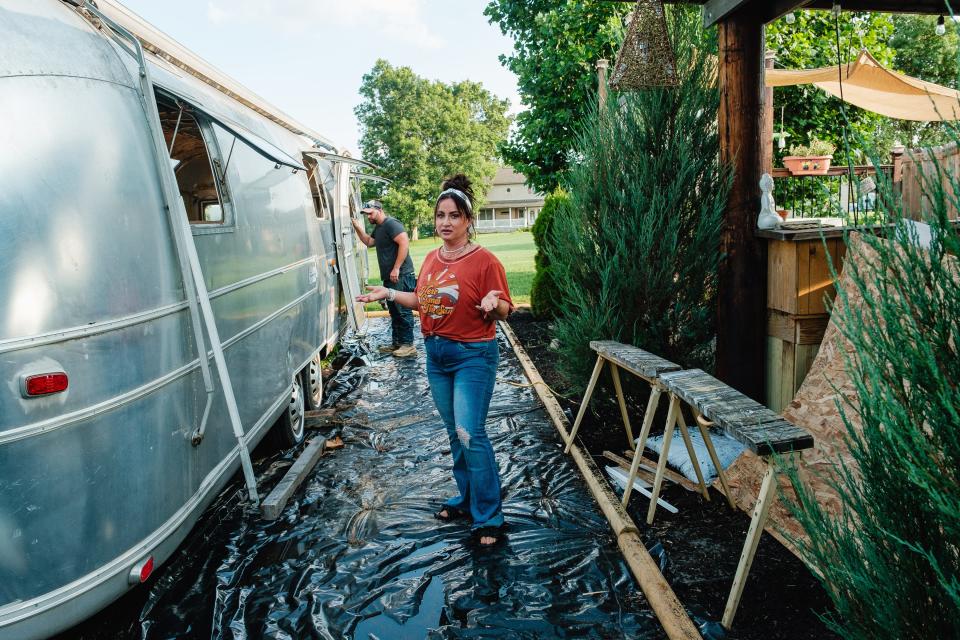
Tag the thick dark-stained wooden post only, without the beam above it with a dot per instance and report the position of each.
(741, 306)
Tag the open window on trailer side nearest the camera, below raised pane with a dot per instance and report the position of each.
(196, 163)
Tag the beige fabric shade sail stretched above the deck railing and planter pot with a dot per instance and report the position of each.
(869, 86)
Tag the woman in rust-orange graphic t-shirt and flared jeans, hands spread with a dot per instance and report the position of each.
(461, 292)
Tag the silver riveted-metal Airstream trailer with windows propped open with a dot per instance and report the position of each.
(175, 258)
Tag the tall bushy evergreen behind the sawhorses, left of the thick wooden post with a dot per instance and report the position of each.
(636, 257)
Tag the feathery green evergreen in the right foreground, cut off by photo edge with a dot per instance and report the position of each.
(891, 559)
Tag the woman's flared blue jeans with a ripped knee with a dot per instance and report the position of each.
(462, 375)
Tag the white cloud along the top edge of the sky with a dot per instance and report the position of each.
(397, 20)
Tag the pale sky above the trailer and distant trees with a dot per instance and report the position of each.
(308, 57)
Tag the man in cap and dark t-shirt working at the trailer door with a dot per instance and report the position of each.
(396, 271)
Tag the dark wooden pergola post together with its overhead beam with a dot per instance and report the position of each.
(742, 305)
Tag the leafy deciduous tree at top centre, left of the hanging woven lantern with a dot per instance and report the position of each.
(556, 45)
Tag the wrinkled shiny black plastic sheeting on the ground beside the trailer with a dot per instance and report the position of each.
(358, 554)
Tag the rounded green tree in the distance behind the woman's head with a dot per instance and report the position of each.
(418, 131)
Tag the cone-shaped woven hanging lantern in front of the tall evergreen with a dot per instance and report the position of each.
(646, 58)
